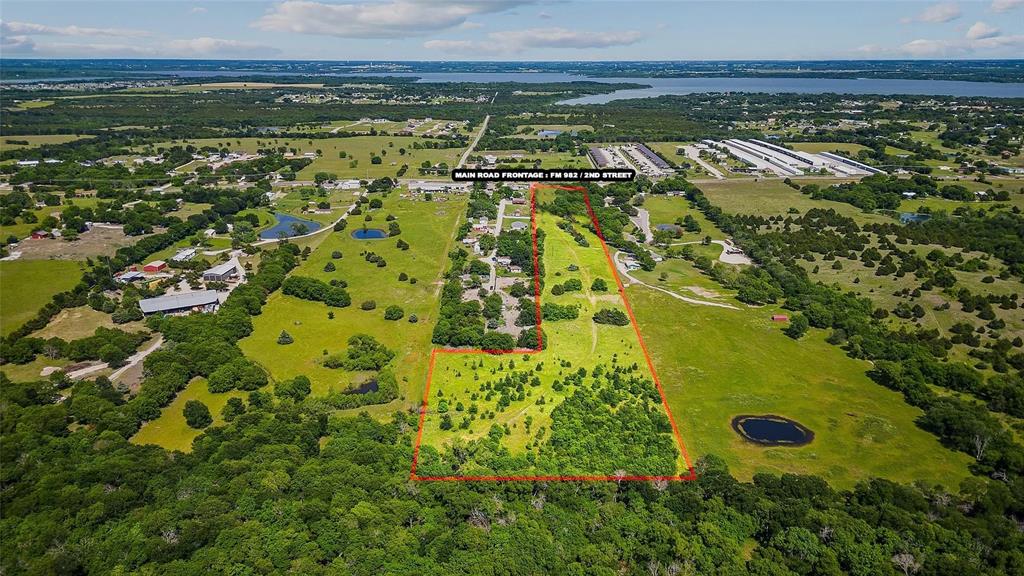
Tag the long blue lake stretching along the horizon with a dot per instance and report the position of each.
(667, 87)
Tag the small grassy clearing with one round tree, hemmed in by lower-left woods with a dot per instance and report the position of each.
(170, 431)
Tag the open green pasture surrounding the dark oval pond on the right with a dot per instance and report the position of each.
(716, 364)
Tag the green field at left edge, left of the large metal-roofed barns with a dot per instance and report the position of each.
(27, 285)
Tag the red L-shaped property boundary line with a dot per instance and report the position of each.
(540, 347)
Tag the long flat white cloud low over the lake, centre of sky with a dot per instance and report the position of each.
(515, 42)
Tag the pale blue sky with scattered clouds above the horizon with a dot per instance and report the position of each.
(573, 30)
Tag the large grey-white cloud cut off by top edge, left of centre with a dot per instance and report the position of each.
(394, 19)
